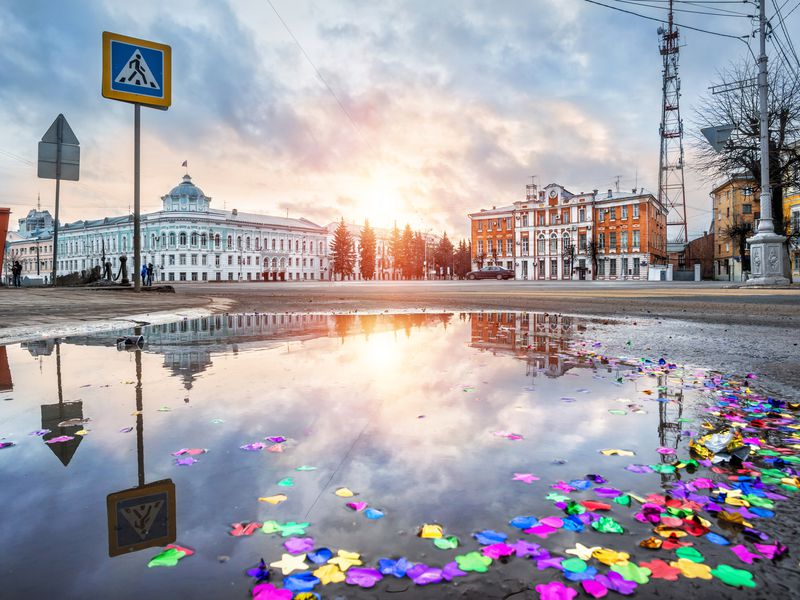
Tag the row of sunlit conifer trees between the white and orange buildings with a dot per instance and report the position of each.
(403, 257)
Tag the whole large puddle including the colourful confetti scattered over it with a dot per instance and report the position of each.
(462, 421)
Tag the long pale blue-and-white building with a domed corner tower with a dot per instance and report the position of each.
(190, 241)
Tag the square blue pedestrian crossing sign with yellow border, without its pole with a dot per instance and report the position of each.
(137, 71)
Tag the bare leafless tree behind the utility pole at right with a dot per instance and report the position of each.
(739, 107)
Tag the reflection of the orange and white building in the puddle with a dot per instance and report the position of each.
(540, 338)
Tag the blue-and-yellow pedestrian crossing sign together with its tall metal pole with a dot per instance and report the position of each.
(140, 72)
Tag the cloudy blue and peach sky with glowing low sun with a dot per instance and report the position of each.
(409, 111)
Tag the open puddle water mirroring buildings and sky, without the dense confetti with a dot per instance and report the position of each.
(401, 408)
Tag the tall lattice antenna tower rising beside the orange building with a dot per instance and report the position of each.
(671, 188)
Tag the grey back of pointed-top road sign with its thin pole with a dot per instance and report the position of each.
(59, 158)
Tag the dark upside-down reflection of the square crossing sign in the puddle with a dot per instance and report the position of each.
(141, 517)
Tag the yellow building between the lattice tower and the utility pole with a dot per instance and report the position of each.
(735, 204)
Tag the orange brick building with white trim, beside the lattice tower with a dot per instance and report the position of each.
(558, 235)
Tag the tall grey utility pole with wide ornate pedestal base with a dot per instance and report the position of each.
(767, 249)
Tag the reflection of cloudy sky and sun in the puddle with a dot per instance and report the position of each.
(350, 404)
